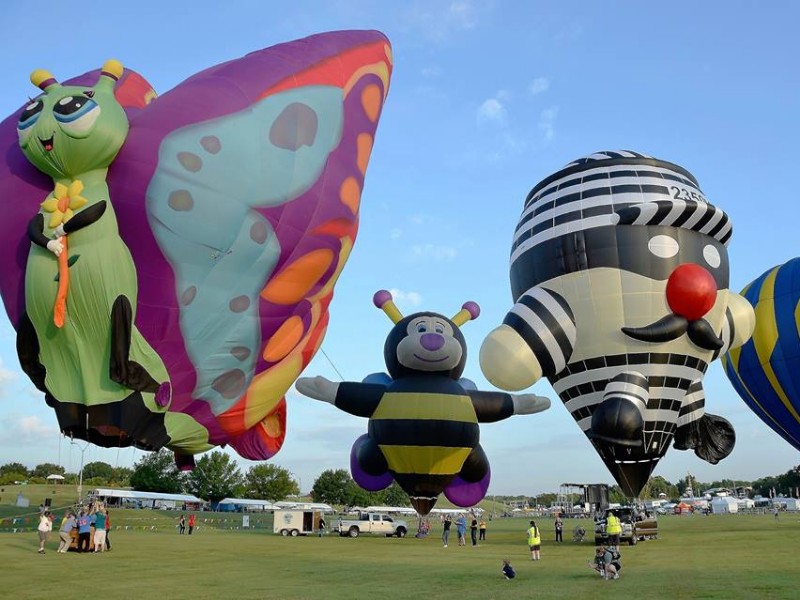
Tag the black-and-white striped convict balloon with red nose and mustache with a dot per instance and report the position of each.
(619, 270)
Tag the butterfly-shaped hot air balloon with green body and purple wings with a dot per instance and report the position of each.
(170, 260)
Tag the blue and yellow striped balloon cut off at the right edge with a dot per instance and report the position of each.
(766, 370)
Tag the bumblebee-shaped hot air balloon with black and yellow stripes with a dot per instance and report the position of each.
(423, 424)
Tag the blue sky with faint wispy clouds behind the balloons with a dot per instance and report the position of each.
(487, 98)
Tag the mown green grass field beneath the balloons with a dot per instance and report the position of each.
(723, 556)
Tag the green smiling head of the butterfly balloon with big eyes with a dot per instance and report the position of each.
(70, 130)
